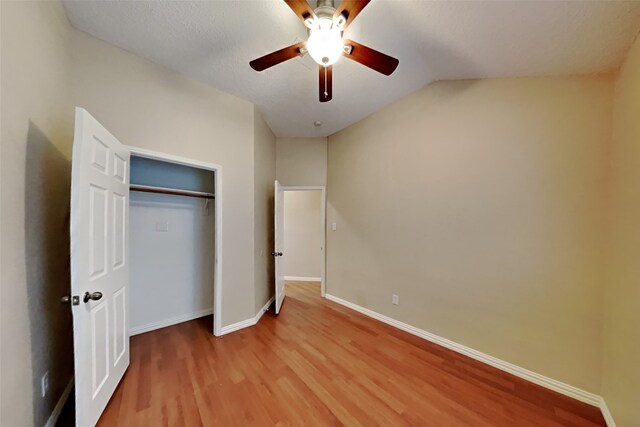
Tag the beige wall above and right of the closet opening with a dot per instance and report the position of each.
(148, 106)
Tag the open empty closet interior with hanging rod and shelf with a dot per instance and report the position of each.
(171, 238)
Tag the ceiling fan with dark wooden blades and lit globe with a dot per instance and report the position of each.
(326, 45)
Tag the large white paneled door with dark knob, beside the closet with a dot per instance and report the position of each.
(99, 265)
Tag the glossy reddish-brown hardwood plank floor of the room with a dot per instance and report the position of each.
(318, 363)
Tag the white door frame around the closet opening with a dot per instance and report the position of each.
(217, 171)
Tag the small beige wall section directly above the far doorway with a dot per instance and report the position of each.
(301, 161)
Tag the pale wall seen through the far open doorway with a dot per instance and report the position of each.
(303, 233)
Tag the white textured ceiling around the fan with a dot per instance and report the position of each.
(213, 42)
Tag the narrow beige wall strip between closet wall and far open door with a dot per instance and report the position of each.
(264, 143)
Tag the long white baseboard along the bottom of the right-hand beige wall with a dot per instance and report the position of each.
(557, 386)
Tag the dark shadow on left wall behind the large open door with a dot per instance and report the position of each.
(47, 210)
